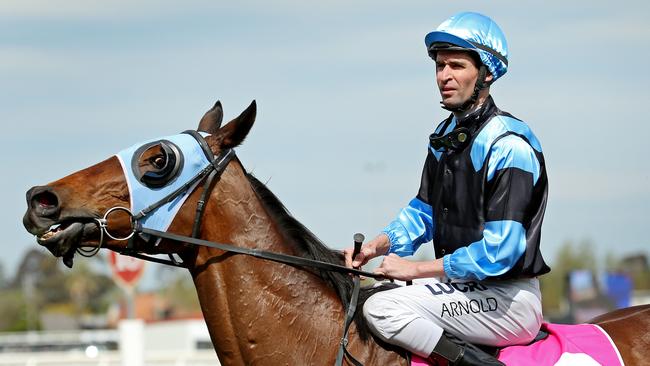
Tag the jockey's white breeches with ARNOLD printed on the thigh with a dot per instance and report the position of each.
(493, 313)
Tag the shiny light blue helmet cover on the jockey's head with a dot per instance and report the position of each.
(467, 30)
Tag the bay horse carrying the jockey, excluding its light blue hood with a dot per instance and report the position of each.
(258, 312)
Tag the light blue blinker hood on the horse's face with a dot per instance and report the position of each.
(141, 196)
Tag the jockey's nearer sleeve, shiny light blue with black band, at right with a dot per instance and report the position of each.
(512, 172)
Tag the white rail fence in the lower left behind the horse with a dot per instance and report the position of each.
(174, 343)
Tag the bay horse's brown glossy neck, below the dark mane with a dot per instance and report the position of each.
(260, 312)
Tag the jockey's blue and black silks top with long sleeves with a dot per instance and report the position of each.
(483, 205)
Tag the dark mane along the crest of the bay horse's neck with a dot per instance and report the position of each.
(311, 247)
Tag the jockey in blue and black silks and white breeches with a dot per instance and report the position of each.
(481, 200)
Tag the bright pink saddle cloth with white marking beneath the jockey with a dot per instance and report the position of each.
(582, 344)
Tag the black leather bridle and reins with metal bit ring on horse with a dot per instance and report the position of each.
(209, 176)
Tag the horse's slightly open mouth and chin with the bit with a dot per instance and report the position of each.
(62, 239)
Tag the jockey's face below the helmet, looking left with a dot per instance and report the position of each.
(456, 74)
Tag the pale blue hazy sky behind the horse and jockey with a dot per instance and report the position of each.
(346, 101)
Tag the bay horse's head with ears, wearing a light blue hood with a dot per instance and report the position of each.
(66, 215)
